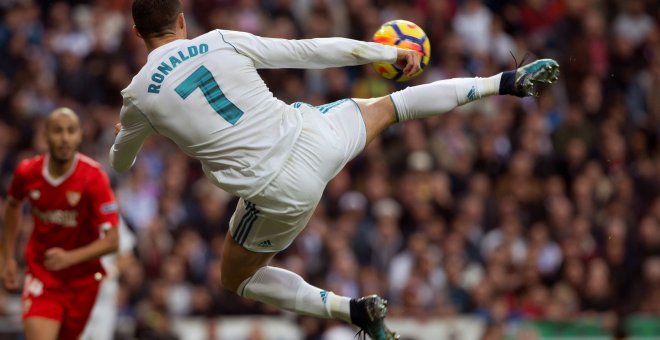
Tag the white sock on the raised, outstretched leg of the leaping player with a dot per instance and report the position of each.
(441, 96)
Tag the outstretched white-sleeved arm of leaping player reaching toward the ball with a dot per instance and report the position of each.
(309, 53)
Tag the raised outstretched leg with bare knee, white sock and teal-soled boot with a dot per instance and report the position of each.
(435, 98)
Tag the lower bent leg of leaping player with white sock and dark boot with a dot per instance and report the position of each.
(248, 274)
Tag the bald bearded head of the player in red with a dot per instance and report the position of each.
(64, 136)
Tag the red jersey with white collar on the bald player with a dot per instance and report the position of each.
(69, 212)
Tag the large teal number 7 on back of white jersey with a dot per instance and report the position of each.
(203, 79)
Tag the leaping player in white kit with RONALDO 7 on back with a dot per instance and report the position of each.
(205, 95)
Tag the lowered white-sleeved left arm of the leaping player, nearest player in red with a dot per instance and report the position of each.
(134, 129)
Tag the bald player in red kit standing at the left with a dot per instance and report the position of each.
(72, 206)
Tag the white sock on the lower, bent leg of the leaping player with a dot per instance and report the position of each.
(287, 290)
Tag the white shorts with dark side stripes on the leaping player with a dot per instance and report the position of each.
(332, 135)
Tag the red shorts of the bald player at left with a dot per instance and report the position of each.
(70, 306)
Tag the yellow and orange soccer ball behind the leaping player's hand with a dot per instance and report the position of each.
(402, 34)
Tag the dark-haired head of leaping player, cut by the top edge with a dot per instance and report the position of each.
(155, 18)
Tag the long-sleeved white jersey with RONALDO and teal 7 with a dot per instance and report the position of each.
(205, 95)
